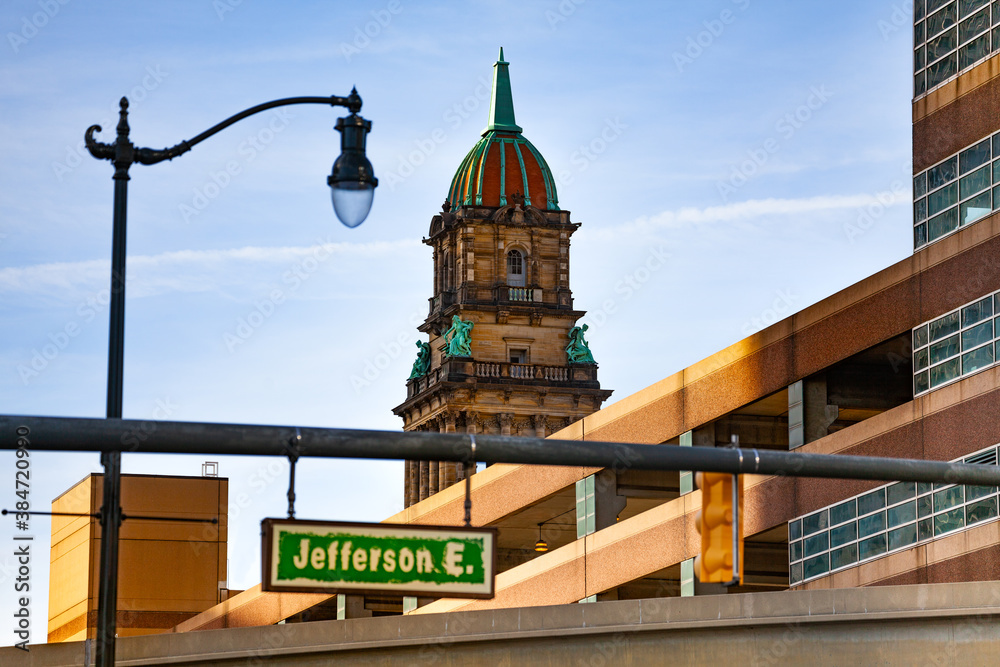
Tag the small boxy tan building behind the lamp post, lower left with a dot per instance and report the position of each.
(168, 571)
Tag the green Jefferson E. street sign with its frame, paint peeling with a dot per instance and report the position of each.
(339, 557)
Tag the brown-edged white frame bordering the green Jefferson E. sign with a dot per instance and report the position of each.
(267, 541)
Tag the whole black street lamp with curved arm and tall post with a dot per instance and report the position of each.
(352, 183)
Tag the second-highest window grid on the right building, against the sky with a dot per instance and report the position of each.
(957, 191)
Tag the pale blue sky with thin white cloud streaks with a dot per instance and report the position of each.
(731, 162)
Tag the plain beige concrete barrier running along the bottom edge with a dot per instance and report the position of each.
(936, 624)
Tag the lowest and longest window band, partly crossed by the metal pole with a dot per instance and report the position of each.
(887, 519)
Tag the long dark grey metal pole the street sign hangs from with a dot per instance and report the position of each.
(76, 434)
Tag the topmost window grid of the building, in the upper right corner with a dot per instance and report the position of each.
(950, 37)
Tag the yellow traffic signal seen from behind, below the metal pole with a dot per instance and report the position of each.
(720, 523)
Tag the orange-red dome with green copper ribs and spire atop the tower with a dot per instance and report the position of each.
(503, 163)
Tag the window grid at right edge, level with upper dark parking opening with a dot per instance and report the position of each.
(956, 345)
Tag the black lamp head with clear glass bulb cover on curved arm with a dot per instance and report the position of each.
(352, 182)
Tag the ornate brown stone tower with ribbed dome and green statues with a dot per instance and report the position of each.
(504, 352)
